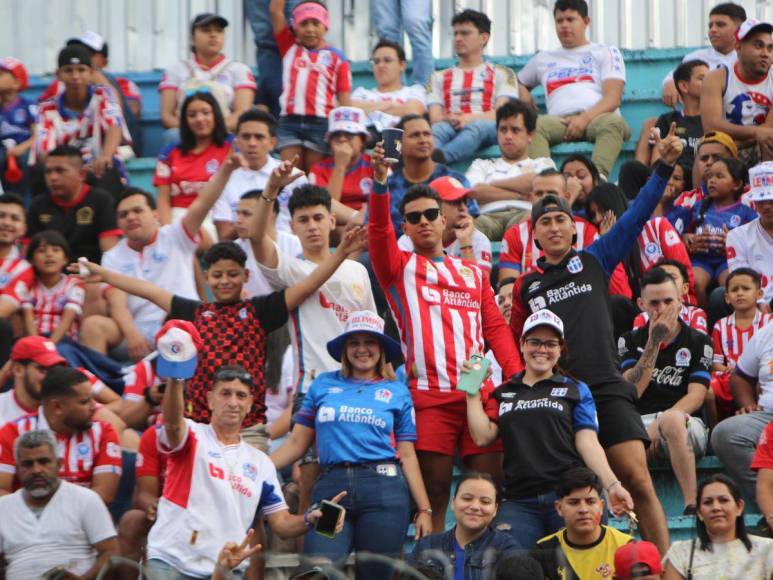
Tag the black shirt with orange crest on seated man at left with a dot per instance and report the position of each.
(90, 217)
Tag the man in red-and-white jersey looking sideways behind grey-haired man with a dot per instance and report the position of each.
(89, 450)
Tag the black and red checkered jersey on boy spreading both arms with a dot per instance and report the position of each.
(232, 334)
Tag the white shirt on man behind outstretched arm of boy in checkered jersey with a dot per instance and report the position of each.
(166, 262)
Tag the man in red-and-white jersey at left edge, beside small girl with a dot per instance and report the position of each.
(16, 275)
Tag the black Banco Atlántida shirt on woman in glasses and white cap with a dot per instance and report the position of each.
(537, 425)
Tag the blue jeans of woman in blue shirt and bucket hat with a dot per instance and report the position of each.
(377, 512)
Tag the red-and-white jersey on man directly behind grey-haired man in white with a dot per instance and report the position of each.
(84, 454)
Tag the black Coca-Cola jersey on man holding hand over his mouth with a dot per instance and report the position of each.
(687, 359)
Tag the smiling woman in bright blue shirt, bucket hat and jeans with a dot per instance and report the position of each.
(354, 412)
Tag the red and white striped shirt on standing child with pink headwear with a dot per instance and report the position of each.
(311, 79)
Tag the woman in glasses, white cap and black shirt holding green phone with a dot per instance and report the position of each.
(548, 424)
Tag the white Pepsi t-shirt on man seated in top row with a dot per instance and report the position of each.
(572, 77)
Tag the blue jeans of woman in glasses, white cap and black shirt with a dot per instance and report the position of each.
(530, 519)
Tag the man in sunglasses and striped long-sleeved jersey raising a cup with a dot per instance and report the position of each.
(445, 309)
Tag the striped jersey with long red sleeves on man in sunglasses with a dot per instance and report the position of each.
(444, 308)
